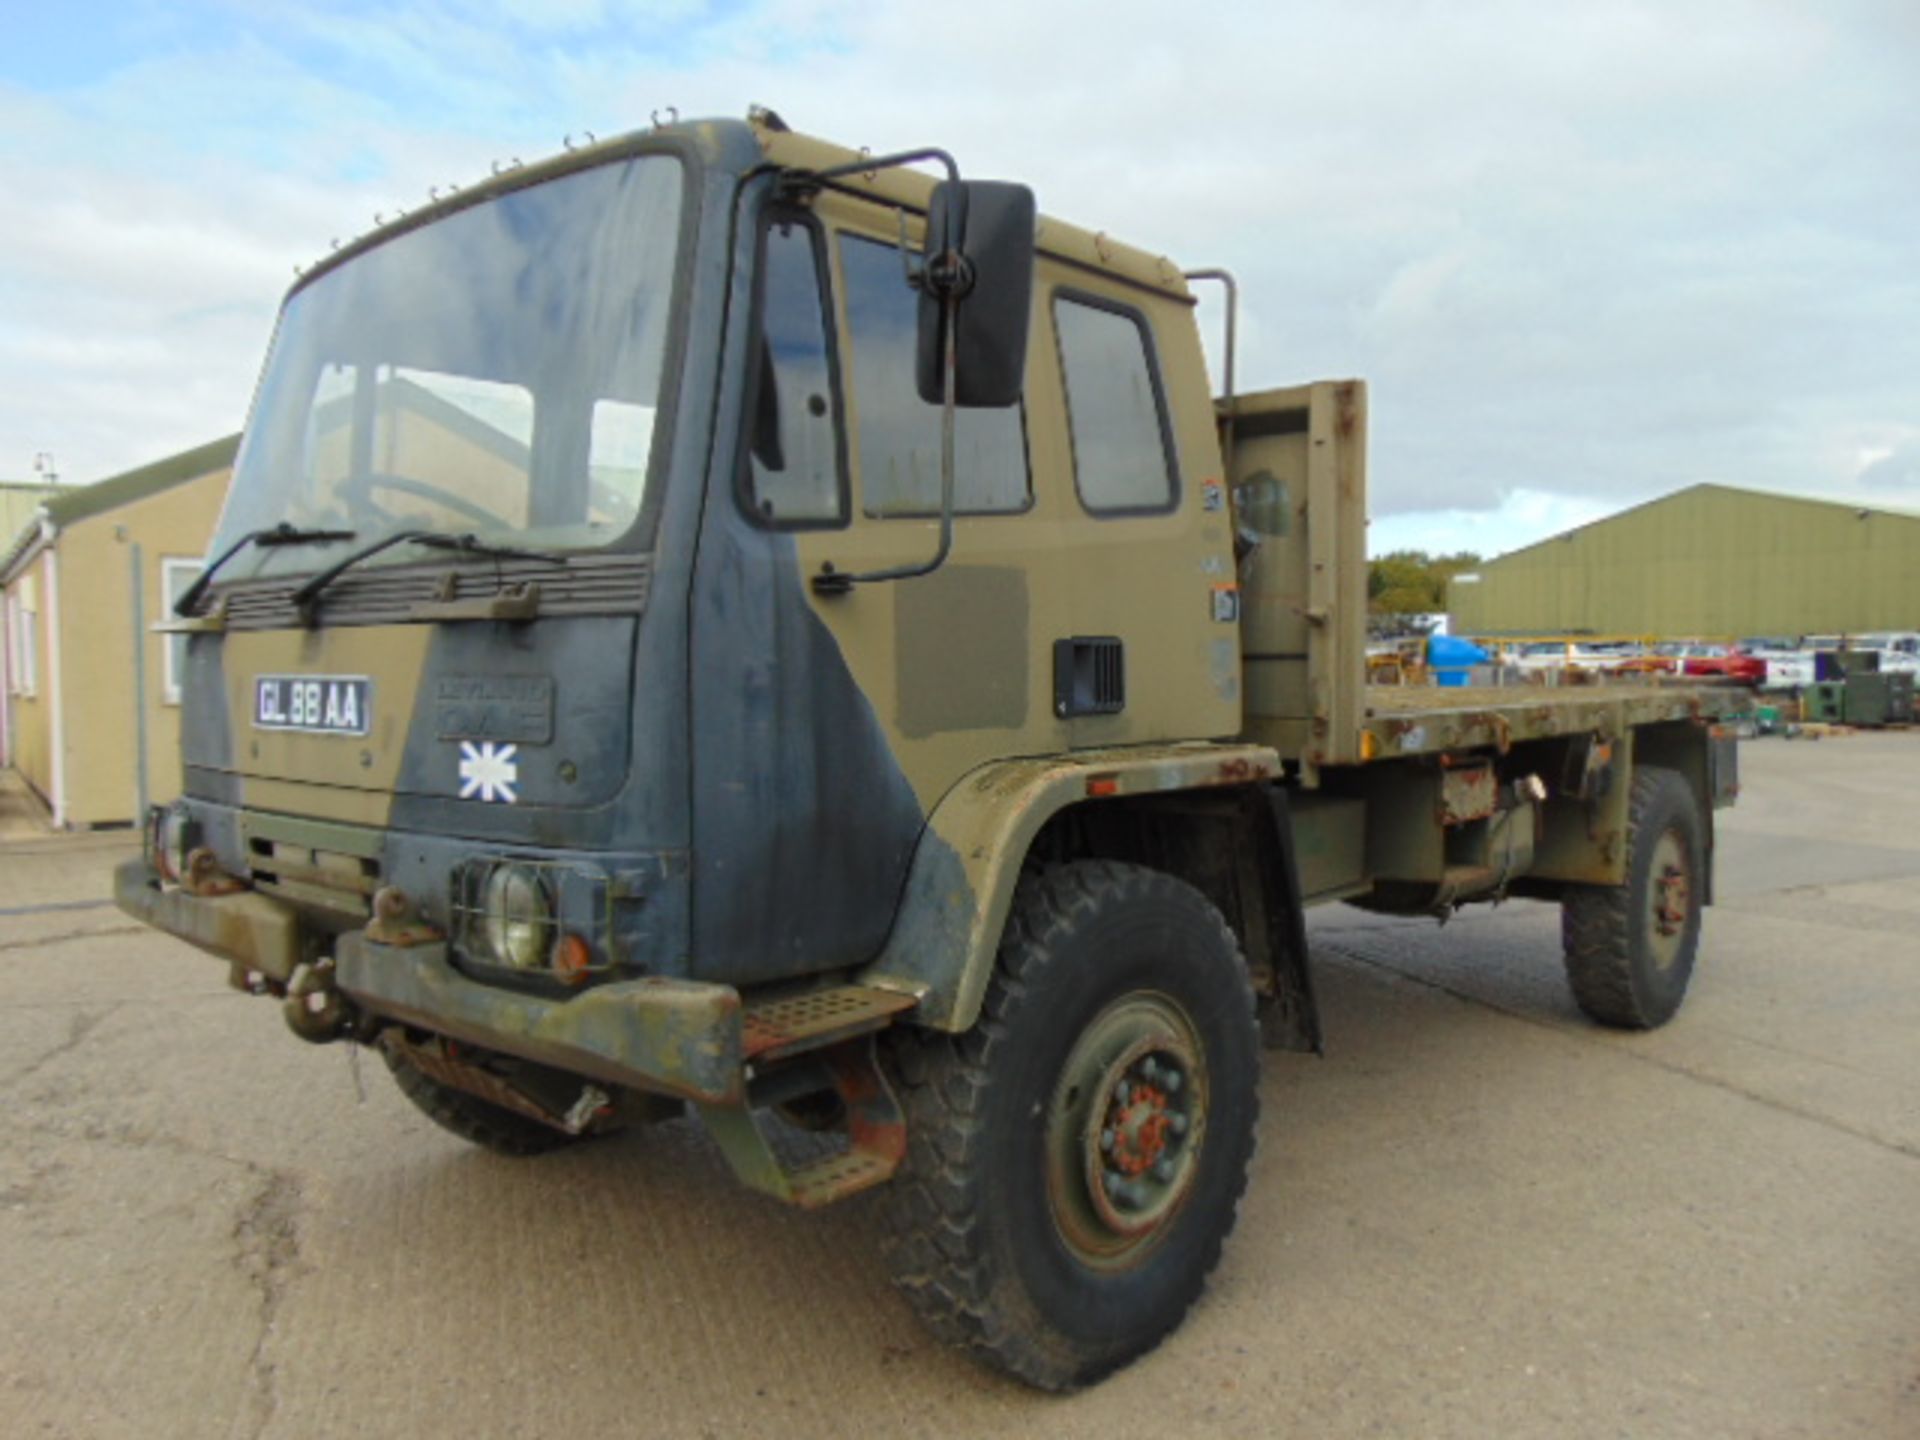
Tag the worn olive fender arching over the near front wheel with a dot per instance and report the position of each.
(961, 884)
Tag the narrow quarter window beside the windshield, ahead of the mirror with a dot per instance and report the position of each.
(794, 462)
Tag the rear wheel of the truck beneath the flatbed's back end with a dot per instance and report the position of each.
(1631, 948)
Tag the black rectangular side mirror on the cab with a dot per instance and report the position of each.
(980, 252)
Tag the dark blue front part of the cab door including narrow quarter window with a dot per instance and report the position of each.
(804, 821)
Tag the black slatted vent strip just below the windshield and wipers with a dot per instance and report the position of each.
(379, 596)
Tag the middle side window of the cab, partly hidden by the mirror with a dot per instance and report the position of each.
(900, 435)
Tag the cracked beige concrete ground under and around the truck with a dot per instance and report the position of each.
(1477, 1216)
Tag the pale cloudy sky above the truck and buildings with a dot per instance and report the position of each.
(1583, 254)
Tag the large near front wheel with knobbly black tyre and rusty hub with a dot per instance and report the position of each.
(1074, 1163)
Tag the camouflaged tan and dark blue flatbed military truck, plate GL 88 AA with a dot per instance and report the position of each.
(727, 623)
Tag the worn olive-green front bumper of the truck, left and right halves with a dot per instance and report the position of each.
(667, 1036)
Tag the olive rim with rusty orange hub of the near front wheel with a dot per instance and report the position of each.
(1126, 1128)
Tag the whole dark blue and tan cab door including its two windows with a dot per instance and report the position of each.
(828, 725)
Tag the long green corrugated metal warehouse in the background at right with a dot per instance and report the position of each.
(1706, 562)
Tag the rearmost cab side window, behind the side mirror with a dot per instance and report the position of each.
(1122, 460)
